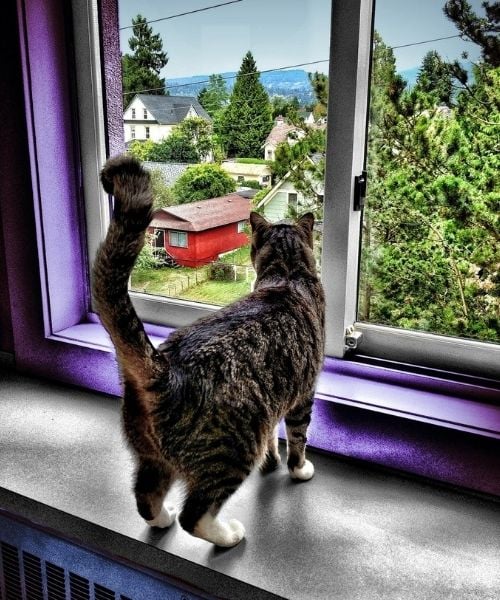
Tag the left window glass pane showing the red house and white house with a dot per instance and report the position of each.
(236, 122)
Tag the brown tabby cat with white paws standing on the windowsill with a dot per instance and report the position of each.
(204, 407)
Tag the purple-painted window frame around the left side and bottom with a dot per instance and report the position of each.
(402, 420)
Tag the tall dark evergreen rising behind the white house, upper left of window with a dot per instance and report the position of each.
(141, 70)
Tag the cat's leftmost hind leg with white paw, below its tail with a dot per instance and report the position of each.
(153, 480)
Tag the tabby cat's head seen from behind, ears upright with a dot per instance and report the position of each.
(281, 246)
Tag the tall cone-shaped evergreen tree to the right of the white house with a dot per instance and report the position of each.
(247, 120)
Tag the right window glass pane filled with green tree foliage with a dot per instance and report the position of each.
(430, 246)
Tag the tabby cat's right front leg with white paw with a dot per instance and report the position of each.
(297, 422)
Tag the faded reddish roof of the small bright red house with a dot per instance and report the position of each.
(202, 215)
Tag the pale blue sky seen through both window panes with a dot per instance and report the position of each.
(282, 32)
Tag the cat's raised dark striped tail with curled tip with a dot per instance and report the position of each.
(129, 183)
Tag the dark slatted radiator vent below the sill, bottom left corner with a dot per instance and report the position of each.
(24, 576)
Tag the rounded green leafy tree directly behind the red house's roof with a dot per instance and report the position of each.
(201, 182)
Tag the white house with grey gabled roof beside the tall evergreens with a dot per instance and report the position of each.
(150, 117)
